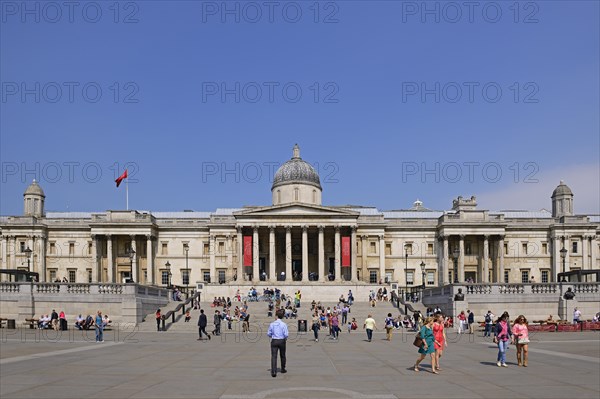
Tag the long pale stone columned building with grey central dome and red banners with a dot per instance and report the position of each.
(298, 239)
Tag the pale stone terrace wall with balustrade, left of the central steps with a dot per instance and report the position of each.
(123, 303)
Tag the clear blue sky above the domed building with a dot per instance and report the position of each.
(370, 113)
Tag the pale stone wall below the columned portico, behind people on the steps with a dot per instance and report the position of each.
(325, 292)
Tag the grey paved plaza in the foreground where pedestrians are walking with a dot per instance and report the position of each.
(137, 363)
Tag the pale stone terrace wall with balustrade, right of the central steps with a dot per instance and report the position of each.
(534, 301)
